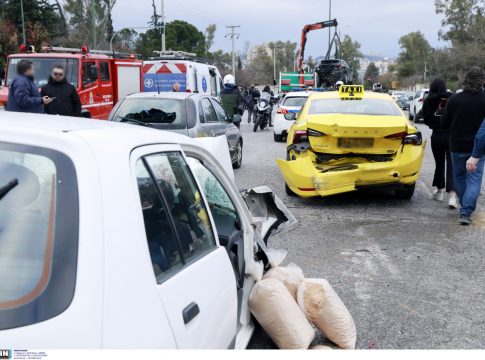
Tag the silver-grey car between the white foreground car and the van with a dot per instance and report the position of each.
(194, 115)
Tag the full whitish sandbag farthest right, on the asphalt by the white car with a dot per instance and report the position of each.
(327, 312)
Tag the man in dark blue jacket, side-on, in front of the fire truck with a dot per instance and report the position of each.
(23, 94)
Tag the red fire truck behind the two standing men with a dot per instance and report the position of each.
(101, 77)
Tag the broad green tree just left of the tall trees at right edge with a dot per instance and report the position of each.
(416, 52)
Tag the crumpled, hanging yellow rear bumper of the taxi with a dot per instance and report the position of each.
(306, 178)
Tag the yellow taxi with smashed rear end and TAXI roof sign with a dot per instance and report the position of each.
(346, 140)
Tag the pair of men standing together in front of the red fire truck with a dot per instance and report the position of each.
(57, 97)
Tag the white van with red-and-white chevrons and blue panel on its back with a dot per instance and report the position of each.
(159, 74)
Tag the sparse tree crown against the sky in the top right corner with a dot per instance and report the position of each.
(463, 20)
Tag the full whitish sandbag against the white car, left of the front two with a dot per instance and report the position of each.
(279, 315)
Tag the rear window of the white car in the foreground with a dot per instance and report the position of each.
(38, 234)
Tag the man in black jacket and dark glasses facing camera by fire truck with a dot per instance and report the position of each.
(66, 100)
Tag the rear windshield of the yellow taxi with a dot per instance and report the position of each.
(364, 106)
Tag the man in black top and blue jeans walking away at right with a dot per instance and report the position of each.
(463, 116)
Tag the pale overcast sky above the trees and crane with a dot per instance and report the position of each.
(376, 24)
